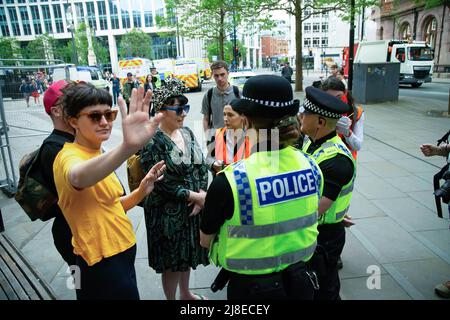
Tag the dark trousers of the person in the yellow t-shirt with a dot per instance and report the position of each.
(112, 278)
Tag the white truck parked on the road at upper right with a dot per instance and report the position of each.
(415, 58)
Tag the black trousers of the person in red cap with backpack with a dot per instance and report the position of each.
(62, 238)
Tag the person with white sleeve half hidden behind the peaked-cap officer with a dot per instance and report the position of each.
(350, 127)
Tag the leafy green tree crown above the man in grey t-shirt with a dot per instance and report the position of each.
(214, 20)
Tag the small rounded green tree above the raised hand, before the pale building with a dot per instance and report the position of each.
(136, 43)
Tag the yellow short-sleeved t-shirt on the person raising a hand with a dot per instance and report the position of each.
(98, 222)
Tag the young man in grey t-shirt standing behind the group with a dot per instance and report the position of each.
(222, 95)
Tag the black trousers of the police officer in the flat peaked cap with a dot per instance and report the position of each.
(332, 239)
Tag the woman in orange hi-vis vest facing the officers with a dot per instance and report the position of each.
(230, 143)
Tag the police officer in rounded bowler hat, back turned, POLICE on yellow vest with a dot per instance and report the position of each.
(260, 214)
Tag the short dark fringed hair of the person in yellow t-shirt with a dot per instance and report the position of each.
(77, 96)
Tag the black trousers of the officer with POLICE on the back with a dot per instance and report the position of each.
(293, 283)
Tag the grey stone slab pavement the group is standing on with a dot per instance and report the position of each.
(397, 231)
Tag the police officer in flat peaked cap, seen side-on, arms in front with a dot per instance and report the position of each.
(319, 115)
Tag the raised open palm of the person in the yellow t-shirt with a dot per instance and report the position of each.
(137, 126)
